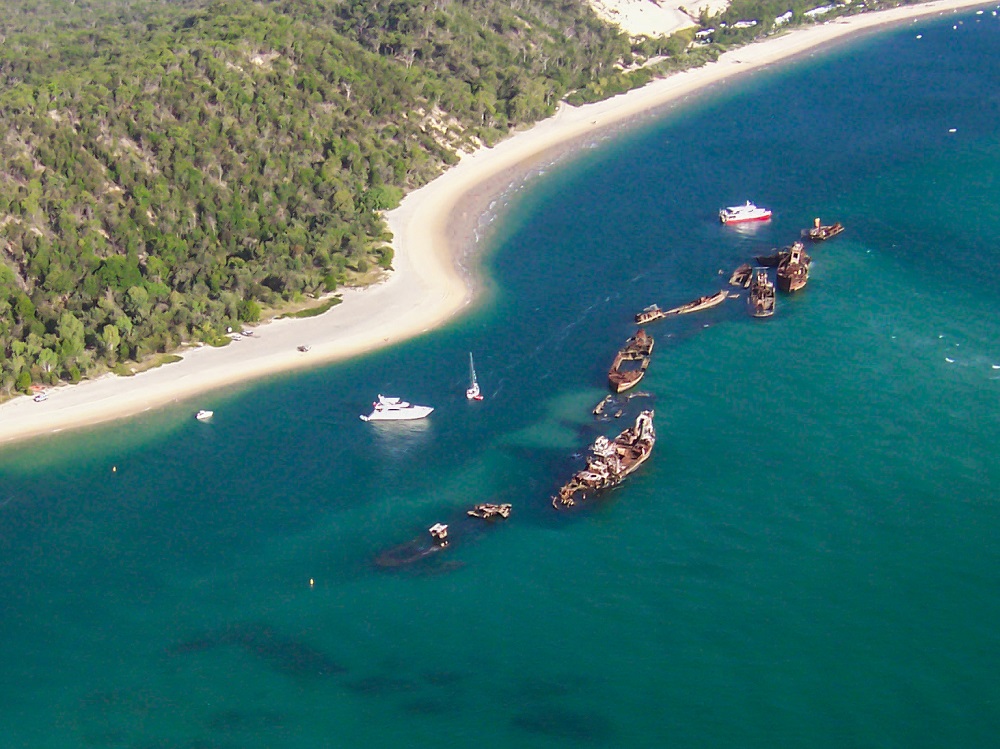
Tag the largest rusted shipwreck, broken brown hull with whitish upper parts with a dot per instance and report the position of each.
(609, 462)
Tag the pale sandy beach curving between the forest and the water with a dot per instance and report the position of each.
(432, 227)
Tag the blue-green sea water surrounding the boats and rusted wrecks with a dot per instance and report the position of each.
(809, 559)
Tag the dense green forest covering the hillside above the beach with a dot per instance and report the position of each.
(170, 168)
